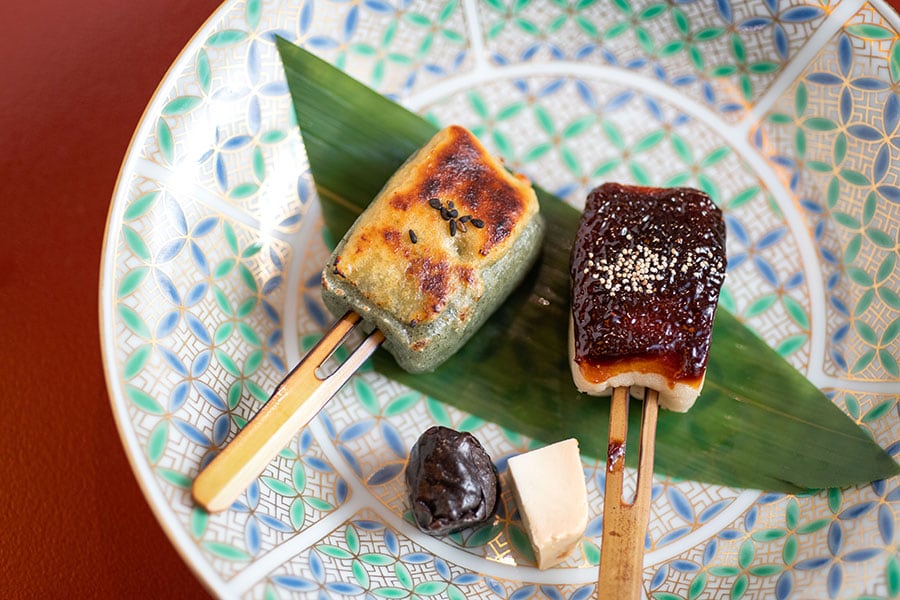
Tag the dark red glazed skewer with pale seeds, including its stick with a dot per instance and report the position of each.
(647, 267)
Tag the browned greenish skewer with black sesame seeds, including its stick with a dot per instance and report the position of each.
(435, 253)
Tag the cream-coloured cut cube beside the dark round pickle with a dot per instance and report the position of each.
(549, 488)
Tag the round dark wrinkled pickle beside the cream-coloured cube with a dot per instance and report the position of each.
(453, 483)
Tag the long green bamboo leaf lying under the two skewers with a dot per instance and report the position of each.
(515, 372)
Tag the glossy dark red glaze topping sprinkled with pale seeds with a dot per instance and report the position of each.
(653, 319)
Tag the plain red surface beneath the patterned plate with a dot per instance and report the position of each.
(76, 77)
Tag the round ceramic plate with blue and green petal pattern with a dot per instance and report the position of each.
(786, 113)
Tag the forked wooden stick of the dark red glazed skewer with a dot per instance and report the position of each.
(625, 523)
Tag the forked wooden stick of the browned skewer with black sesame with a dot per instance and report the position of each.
(296, 400)
